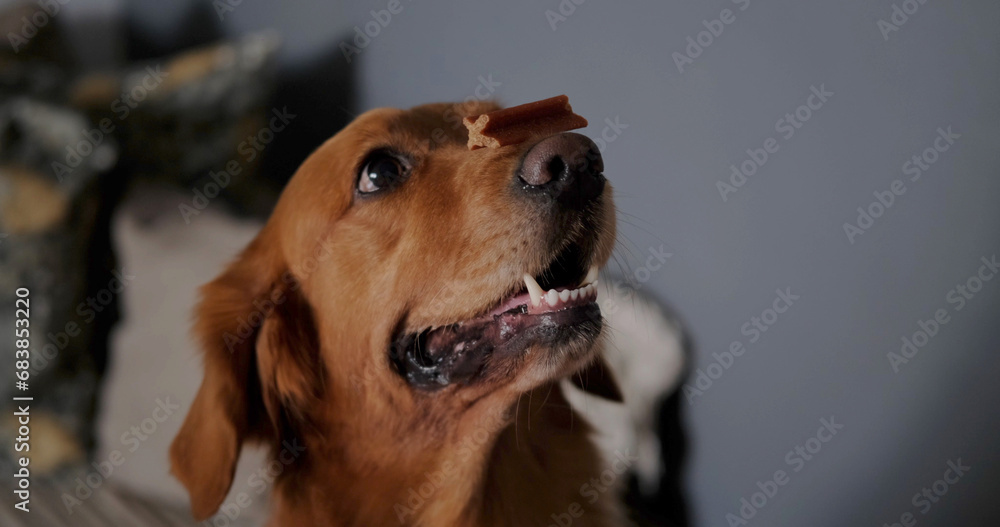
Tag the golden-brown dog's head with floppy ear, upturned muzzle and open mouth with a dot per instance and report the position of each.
(401, 282)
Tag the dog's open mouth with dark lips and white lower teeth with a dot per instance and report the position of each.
(556, 307)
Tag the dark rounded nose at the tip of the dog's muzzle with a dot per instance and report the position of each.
(568, 167)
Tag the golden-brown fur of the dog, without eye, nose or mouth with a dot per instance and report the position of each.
(294, 335)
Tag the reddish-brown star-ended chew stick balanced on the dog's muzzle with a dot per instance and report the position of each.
(511, 126)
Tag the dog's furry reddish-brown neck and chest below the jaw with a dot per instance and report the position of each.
(516, 465)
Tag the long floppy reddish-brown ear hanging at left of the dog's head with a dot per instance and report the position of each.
(259, 348)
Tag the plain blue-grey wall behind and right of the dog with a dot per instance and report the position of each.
(827, 354)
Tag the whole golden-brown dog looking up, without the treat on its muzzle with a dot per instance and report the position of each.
(404, 319)
